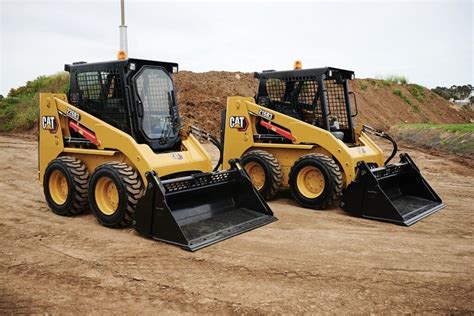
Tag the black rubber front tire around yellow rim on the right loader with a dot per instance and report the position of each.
(332, 177)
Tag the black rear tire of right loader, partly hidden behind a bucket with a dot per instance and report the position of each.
(272, 169)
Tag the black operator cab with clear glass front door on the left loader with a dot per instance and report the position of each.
(134, 95)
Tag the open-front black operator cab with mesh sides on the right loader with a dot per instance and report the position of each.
(318, 96)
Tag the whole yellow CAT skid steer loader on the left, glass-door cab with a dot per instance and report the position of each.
(115, 145)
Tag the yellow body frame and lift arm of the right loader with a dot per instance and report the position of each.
(307, 139)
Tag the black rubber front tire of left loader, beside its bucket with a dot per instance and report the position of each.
(130, 189)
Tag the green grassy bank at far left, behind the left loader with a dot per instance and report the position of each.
(19, 110)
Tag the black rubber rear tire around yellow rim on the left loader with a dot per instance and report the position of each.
(77, 178)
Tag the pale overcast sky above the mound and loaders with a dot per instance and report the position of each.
(430, 42)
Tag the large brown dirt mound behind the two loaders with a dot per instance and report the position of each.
(382, 104)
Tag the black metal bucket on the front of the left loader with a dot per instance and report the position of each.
(197, 211)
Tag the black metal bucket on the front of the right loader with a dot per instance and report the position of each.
(396, 193)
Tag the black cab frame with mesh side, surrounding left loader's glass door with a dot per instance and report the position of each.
(107, 90)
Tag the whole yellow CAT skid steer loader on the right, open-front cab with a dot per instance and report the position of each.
(299, 134)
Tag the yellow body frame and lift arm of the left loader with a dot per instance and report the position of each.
(114, 144)
